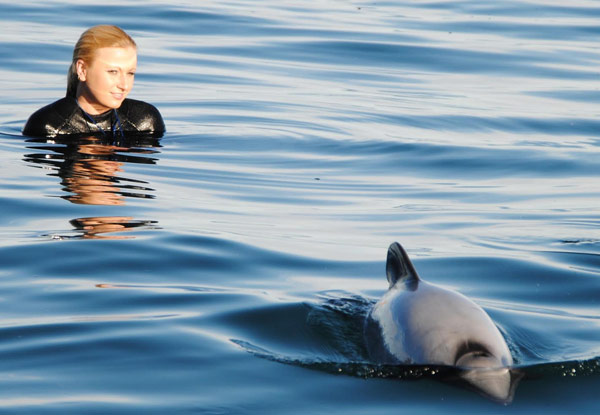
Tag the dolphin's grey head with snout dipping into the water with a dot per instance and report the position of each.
(488, 374)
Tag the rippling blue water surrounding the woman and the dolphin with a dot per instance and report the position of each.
(227, 267)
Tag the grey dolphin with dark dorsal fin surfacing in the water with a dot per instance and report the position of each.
(419, 323)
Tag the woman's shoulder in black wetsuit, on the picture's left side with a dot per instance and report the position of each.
(49, 121)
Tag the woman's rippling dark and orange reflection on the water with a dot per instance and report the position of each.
(92, 172)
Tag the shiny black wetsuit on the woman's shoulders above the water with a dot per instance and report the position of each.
(65, 117)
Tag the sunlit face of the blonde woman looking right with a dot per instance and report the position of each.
(107, 80)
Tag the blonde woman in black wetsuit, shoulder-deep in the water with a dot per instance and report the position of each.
(99, 80)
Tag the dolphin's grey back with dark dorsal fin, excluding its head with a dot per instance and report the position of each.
(420, 322)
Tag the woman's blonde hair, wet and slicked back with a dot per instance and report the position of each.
(102, 36)
